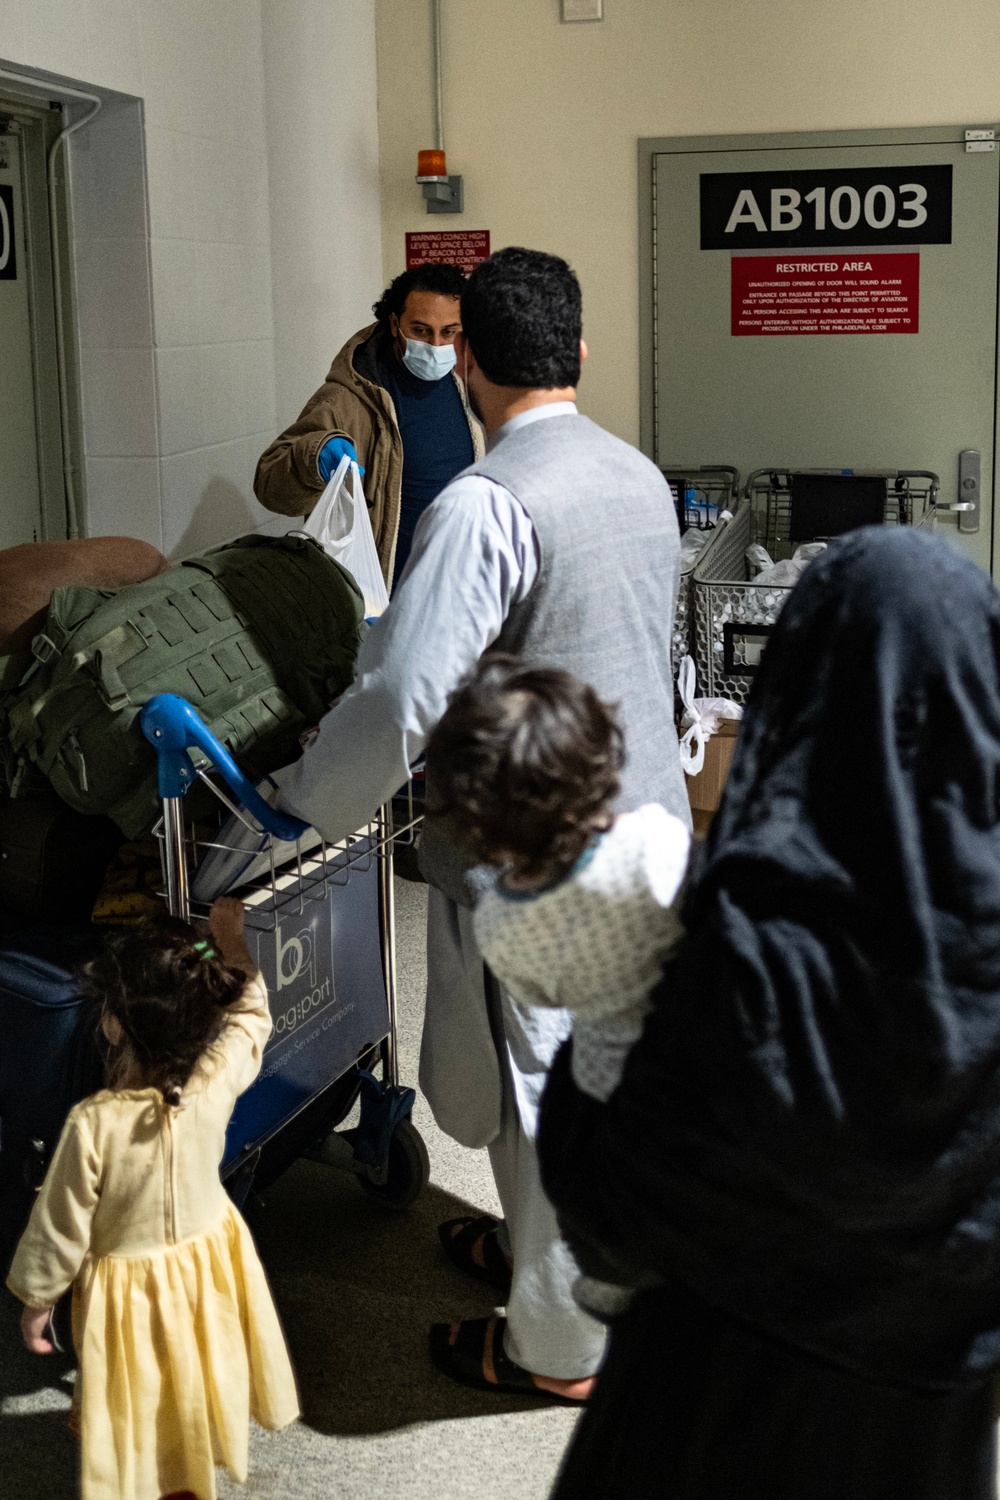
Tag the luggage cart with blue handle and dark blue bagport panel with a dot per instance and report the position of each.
(320, 923)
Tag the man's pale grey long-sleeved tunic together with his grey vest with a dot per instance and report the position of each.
(479, 559)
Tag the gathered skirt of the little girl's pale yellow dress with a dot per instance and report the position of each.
(178, 1349)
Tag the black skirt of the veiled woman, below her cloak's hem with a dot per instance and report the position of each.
(695, 1406)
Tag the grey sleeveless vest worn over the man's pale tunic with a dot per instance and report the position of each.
(602, 605)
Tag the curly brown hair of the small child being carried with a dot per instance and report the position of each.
(524, 767)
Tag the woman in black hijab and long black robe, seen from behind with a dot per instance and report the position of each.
(803, 1160)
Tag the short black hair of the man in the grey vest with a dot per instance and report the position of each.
(522, 314)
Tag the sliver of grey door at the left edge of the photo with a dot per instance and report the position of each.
(20, 493)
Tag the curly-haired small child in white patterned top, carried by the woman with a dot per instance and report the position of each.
(524, 770)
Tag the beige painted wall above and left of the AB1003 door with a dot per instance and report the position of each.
(543, 119)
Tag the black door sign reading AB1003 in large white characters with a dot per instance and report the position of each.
(842, 206)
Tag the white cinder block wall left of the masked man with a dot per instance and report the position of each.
(260, 242)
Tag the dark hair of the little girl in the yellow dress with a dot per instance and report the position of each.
(169, 991)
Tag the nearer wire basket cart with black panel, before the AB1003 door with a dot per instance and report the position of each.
(732, 616)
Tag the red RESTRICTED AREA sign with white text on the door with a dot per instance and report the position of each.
(822, 293)
